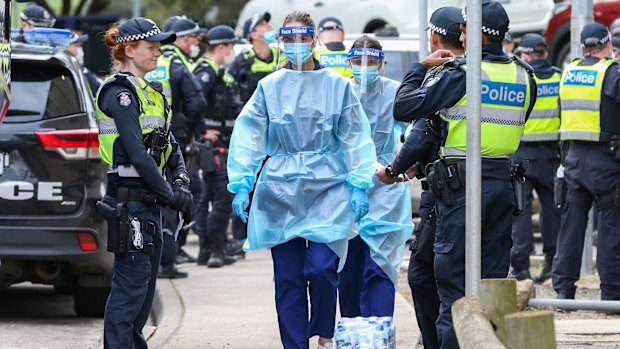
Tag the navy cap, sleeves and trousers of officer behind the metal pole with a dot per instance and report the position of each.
(447, 90)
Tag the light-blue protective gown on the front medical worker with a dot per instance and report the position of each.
(316, 134)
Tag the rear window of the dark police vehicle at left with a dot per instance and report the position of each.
(40, 92)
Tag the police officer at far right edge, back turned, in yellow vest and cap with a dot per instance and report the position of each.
(590, 105)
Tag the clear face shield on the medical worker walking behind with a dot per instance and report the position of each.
(366, 65)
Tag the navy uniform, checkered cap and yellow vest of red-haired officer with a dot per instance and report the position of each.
(120, 112)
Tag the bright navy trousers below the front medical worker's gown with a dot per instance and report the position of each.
(303, 268)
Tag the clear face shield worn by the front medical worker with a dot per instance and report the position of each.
(297, 43)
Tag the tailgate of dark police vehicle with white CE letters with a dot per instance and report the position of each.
(45, 142)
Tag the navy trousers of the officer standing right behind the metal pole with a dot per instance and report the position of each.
(498, 203)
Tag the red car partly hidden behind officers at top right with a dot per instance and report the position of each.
(558, 31)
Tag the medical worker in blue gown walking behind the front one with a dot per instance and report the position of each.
(368, 281)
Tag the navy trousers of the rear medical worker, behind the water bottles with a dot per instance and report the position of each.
(364, 288)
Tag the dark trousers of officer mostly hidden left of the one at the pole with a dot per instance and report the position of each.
(421, 278)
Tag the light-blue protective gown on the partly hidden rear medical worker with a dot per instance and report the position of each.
(387, 226)
